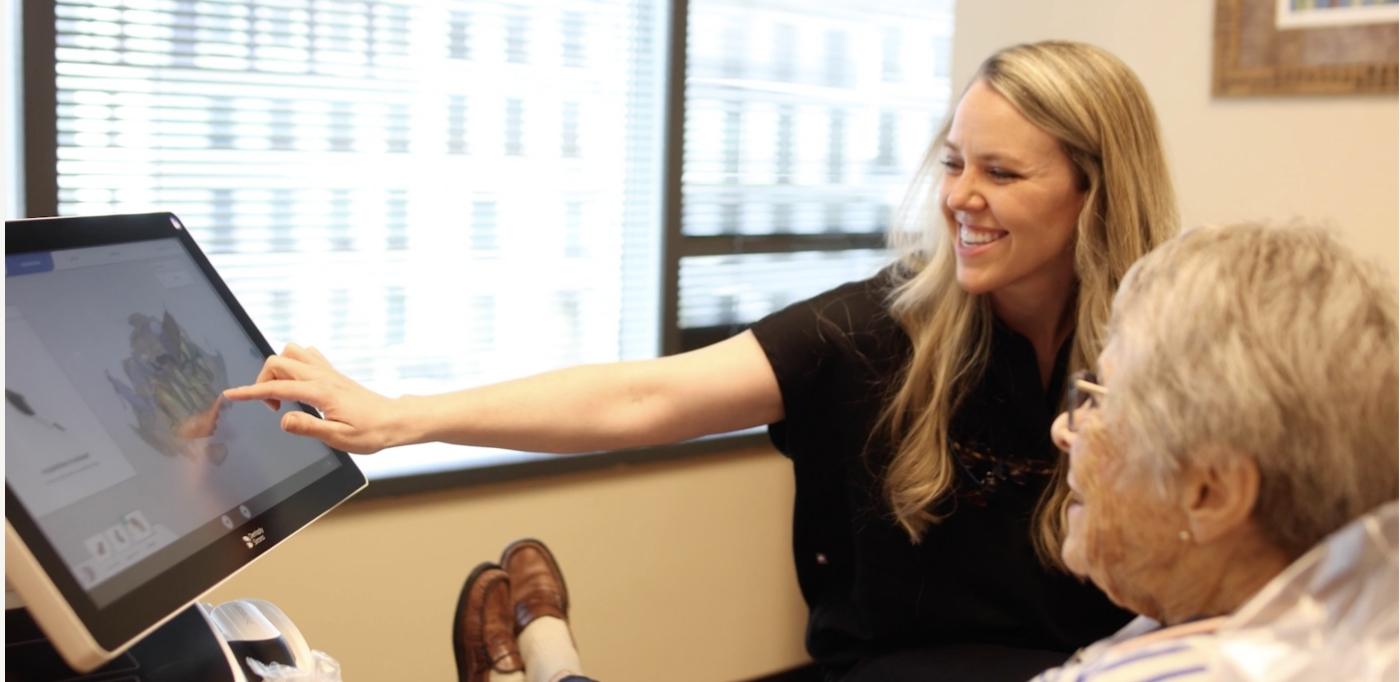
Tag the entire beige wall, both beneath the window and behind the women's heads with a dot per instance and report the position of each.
(681, 571)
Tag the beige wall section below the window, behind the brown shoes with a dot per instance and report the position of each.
(677, 571)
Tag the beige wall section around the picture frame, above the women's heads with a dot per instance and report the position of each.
(1321, 159)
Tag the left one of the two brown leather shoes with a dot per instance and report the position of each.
(484, 634)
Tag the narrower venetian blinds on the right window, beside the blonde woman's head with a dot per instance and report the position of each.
(806, 123)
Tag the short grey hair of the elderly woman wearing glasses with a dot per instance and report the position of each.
(1272, 342)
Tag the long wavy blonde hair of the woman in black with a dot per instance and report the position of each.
(1100, 113)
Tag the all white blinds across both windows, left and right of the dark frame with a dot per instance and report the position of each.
(442, 194)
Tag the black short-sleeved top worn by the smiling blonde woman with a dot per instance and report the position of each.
(972, 579)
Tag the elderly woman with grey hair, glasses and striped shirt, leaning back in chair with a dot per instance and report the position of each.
(1244, 410)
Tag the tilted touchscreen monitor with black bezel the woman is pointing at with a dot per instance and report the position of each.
(132, 487)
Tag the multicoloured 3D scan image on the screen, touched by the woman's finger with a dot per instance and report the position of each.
(176, 390)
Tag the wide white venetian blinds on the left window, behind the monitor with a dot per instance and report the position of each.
(436, 194)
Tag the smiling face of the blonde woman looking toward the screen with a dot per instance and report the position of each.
(1011, 198)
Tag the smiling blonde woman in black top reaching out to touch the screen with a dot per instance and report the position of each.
(915, 405)
